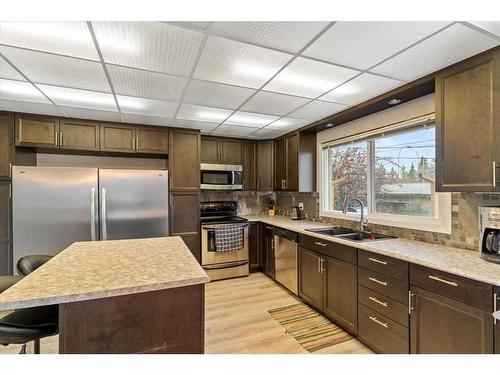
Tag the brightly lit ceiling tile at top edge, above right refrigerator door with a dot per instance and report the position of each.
(149, 45)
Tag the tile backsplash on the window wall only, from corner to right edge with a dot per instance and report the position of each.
(464, 218)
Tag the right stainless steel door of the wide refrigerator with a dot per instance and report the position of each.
(133, 203)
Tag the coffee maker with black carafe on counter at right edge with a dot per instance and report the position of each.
(489, 231)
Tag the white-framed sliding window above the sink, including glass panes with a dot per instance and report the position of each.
(392, 171)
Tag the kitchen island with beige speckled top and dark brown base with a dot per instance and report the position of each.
(124, 296)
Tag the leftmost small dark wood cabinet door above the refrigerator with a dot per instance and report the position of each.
(37, 131)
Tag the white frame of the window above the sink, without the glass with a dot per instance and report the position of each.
(440, 222)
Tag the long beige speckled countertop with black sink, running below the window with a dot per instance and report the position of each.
(457, 261)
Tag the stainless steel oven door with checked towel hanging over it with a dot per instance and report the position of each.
(209, 254)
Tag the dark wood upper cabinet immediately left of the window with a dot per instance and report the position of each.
(295, 162)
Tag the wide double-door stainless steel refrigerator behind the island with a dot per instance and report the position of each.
(52, 207)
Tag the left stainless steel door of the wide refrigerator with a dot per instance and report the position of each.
(52, 207)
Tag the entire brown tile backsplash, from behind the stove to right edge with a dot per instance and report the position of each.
(464, 221)
